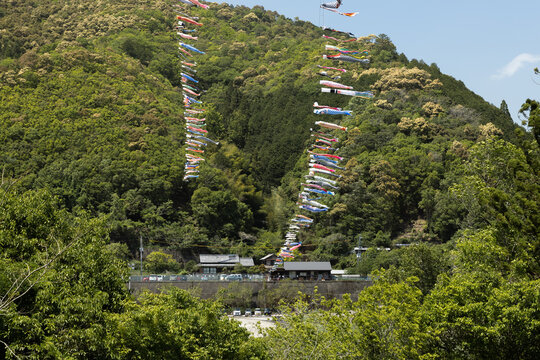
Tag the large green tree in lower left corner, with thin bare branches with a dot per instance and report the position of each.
(58, 279)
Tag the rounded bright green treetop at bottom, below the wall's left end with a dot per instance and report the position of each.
(176, 325)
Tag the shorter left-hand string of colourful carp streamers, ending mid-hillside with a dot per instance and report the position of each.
(196, 135)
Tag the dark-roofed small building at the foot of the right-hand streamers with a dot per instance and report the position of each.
(304, 270)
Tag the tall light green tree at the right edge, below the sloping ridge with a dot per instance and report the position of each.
(499, 190)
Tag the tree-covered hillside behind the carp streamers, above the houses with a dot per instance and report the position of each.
(90, 110)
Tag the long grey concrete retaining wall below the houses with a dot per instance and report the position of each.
(207, 289)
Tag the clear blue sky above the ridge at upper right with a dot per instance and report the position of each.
(492, 46)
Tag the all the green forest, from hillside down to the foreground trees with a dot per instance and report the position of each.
(92, 159)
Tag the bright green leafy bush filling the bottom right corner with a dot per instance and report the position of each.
(479, 315)
